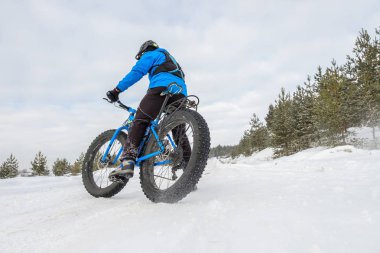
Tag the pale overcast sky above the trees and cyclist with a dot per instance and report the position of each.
(59, 58)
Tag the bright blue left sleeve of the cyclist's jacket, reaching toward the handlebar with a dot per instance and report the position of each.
(138, 71)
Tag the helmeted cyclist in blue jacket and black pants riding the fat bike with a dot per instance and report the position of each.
(163, 70)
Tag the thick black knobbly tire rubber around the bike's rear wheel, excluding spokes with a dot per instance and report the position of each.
(196, 165)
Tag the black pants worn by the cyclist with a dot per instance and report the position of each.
(147, 111)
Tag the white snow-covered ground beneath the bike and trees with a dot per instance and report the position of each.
(319, 200)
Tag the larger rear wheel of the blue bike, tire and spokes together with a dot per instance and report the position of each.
(170, 182)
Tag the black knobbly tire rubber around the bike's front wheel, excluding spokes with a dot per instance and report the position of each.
(87, 176)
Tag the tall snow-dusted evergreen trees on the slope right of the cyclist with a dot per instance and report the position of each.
(322, 109)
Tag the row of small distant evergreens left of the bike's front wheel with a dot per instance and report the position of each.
(9, 168)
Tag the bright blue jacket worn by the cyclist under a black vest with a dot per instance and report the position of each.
(144, 65)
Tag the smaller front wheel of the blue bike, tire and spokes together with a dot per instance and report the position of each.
(95, 172)
